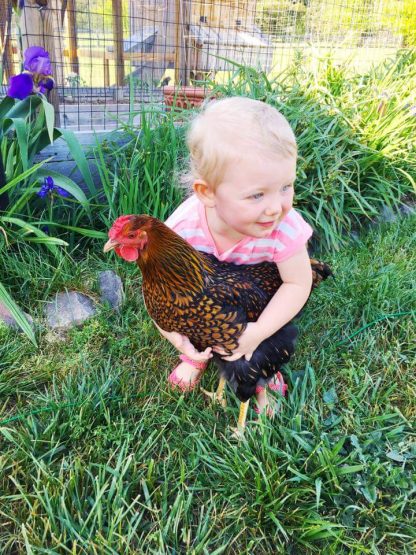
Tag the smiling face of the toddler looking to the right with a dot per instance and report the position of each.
(254, 196)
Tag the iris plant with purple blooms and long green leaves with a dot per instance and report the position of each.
(26, 127)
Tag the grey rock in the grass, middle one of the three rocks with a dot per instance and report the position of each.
(69, 309)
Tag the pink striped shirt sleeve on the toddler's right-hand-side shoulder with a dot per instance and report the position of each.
(292, 234)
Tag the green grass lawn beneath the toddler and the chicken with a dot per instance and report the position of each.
(107, 460)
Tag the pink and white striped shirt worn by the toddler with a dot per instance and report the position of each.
(291, 234)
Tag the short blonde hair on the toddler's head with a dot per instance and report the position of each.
(232, 129)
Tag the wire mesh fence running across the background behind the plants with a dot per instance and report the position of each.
(112, 56)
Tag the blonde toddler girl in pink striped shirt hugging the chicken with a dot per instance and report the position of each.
(243, 167)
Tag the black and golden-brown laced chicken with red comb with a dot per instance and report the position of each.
(206, 300)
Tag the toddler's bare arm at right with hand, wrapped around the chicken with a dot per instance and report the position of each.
(296, 274)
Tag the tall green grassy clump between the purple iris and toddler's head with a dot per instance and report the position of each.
(139, 176)
